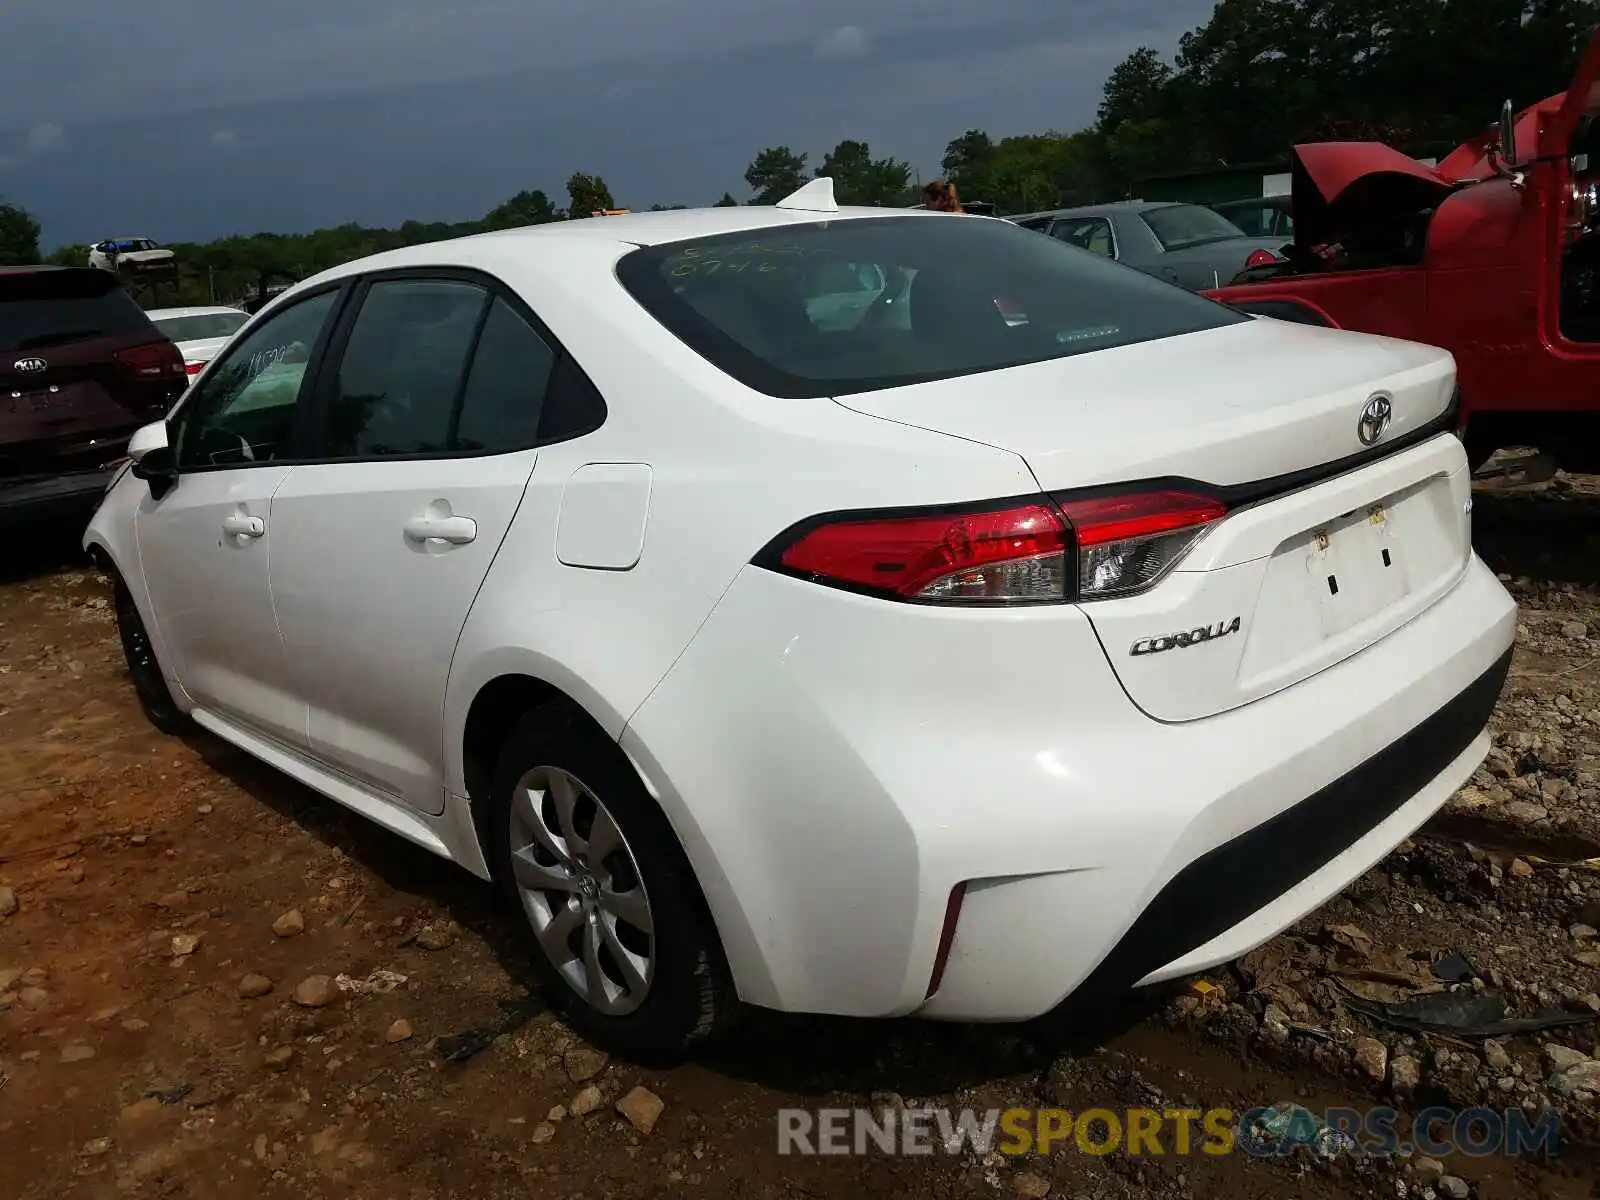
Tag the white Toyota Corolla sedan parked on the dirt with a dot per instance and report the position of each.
(778, 617)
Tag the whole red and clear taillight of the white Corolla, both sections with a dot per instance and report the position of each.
(1033, 553)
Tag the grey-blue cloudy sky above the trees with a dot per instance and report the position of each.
(193, 119)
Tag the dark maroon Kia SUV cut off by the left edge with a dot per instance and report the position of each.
(81, 369)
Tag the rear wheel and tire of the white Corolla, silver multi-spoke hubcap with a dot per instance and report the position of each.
(556, 783)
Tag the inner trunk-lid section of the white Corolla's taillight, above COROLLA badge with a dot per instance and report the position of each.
(1129, 543)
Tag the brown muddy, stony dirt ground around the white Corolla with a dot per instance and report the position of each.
(143, 879)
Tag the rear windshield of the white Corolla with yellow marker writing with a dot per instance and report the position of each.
(860, 305)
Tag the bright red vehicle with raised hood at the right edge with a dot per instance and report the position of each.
(1494, 255)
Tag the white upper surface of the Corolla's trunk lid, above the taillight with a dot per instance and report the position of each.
(1233, 406)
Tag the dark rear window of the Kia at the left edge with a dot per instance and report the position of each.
(50, 308)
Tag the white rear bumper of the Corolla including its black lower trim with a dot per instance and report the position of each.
(836, 767)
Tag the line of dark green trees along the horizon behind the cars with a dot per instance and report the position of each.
(1244, 87)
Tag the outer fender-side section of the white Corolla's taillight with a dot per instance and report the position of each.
(1006, 556)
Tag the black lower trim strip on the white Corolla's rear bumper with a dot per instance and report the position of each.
(1226, 886)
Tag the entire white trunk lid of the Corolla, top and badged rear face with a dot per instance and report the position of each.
(1324, 553)
